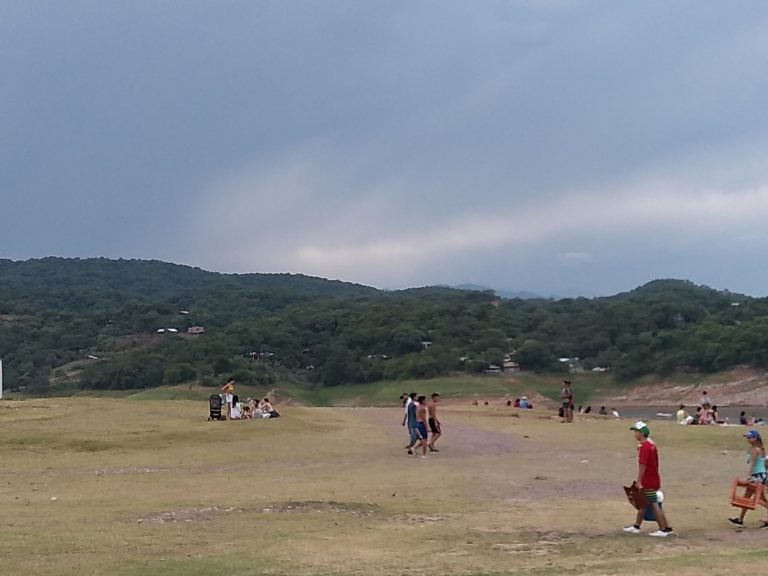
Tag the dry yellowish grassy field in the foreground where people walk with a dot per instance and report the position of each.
(119, 487)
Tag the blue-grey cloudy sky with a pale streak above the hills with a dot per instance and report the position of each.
(558, 147)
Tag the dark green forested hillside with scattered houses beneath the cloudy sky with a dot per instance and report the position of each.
(119, 324)
